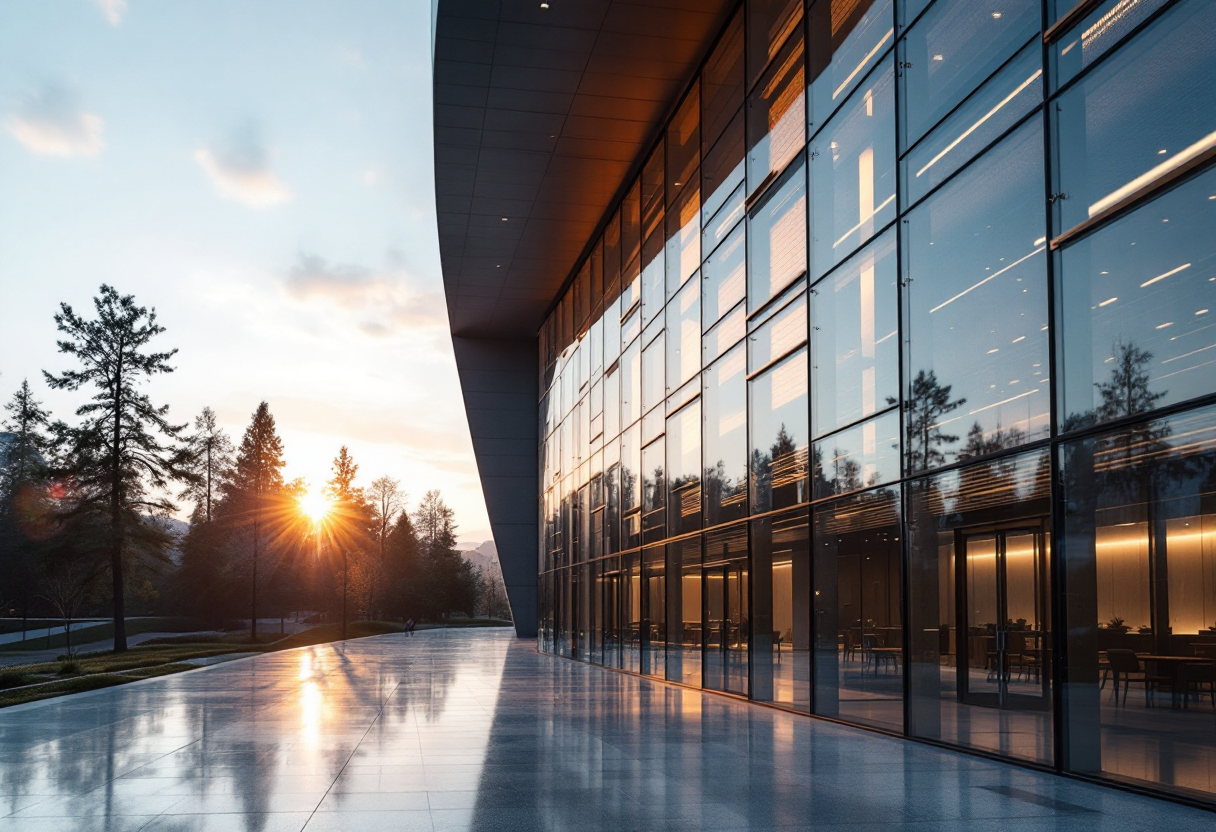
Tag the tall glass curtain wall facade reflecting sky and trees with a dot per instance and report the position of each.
(896, 357)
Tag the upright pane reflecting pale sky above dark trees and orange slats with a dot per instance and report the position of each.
(780, 436)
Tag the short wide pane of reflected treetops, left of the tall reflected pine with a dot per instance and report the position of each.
(862, 457)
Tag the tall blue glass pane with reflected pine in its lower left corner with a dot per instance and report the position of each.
(977, 310)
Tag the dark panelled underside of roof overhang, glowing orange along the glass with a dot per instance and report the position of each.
(542, 110)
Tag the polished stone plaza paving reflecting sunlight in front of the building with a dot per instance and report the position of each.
(475, 730)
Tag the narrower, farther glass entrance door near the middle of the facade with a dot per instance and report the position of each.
(727, 626)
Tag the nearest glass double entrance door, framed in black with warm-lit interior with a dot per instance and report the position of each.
(1004, 621)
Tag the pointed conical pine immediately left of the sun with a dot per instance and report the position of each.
(256, 485)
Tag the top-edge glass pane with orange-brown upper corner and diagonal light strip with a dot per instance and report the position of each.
(847, 38)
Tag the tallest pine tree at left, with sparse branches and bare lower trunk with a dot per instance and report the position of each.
(126, 453)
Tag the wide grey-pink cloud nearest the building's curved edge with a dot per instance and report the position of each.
(382, 302)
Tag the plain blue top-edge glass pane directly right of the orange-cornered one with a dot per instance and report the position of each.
(953, 49)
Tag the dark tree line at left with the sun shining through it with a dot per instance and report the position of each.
(87, 507)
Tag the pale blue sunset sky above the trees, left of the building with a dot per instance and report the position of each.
(261, 173)
